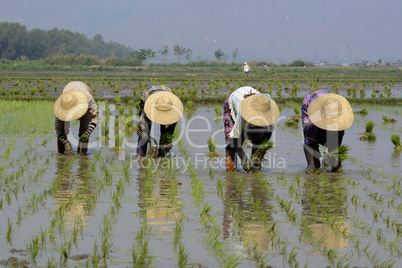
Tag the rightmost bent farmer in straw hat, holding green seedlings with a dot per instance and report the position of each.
(325, 116)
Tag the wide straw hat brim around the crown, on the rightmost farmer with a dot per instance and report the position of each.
(335, 123)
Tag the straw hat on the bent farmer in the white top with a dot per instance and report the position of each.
(259, 110)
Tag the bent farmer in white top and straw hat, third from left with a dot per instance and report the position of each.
(248, 114)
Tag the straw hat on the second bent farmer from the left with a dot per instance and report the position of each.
(163, 108)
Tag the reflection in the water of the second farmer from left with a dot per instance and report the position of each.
(158, 196)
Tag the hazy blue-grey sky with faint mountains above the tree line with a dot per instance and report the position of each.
(279, 31)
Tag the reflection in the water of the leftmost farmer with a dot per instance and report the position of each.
(73, 192)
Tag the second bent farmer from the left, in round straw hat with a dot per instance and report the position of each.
(158, 104)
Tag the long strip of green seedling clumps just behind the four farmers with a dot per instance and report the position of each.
(197, 87)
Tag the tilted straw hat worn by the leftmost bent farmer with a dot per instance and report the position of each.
(70, 105)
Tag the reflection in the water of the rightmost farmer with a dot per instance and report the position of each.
(324, 200)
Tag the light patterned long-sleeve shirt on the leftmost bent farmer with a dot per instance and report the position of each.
(92, 107)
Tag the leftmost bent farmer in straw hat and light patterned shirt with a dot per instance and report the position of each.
(76, 102)
